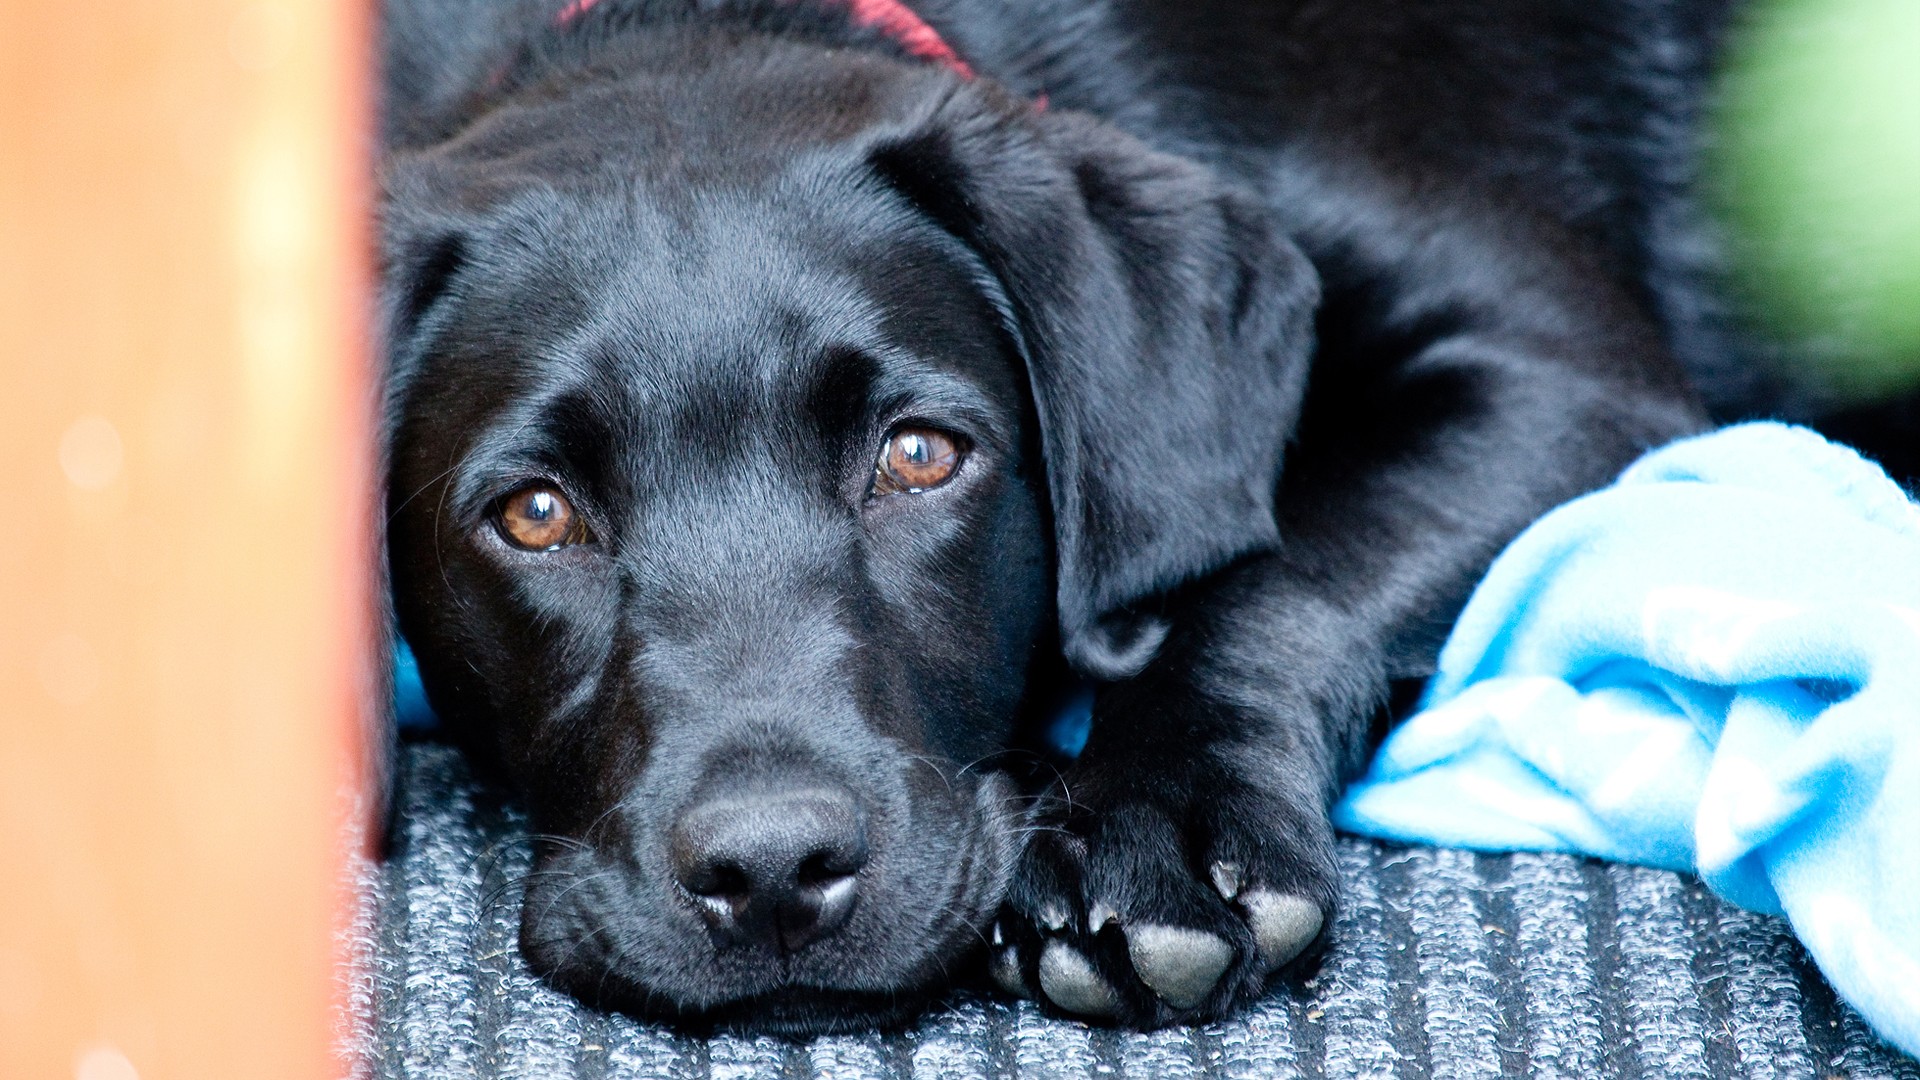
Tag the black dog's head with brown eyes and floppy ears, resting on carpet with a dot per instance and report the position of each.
(763, 422)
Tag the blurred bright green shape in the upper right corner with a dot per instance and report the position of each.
(1815, 168)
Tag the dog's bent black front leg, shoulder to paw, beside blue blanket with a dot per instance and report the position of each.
(1188, 854)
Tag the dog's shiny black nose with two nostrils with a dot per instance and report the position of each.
(777, 870)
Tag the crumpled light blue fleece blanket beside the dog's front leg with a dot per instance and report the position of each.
(1712, 666)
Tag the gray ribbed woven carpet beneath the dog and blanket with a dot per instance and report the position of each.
(1445, 966)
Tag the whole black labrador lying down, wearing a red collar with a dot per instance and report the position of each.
(794, 403)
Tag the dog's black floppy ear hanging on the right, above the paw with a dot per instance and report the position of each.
(1166, 326)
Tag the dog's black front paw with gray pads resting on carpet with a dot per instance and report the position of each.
(1159, 902)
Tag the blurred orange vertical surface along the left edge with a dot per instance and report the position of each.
(183, 599)
